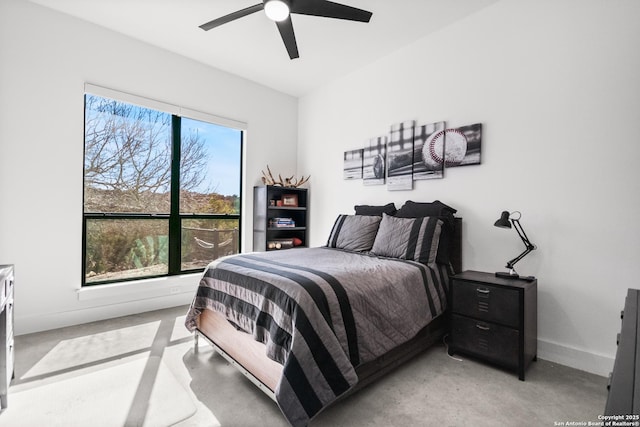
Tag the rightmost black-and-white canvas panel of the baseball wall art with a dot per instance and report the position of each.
(463, 145)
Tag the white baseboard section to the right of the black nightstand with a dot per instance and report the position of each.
(575, 358)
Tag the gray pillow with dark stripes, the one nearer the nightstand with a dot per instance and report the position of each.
(415, 239)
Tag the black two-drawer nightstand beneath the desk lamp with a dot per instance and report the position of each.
(494, 319)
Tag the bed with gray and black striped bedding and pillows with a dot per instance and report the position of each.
(311, 325)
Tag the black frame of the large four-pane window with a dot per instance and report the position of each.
(174, 217)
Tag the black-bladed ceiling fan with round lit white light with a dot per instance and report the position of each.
(280, 11)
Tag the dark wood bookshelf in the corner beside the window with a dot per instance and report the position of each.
(263, 211)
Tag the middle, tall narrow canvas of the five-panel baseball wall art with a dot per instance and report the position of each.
(400, 156)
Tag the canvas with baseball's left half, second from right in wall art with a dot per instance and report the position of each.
(428, 152)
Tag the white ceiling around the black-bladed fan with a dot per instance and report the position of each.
(251, 47)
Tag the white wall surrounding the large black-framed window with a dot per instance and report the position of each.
(45, 59)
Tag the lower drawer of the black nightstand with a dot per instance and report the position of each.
(495, 342)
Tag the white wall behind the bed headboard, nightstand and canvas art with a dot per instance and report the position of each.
(555, 84)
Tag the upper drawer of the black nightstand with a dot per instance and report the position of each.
(486, 302)
